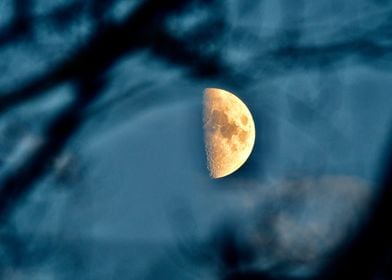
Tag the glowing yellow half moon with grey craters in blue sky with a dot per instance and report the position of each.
(229, 132)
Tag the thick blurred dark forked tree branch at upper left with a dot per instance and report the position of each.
(143, 29)
